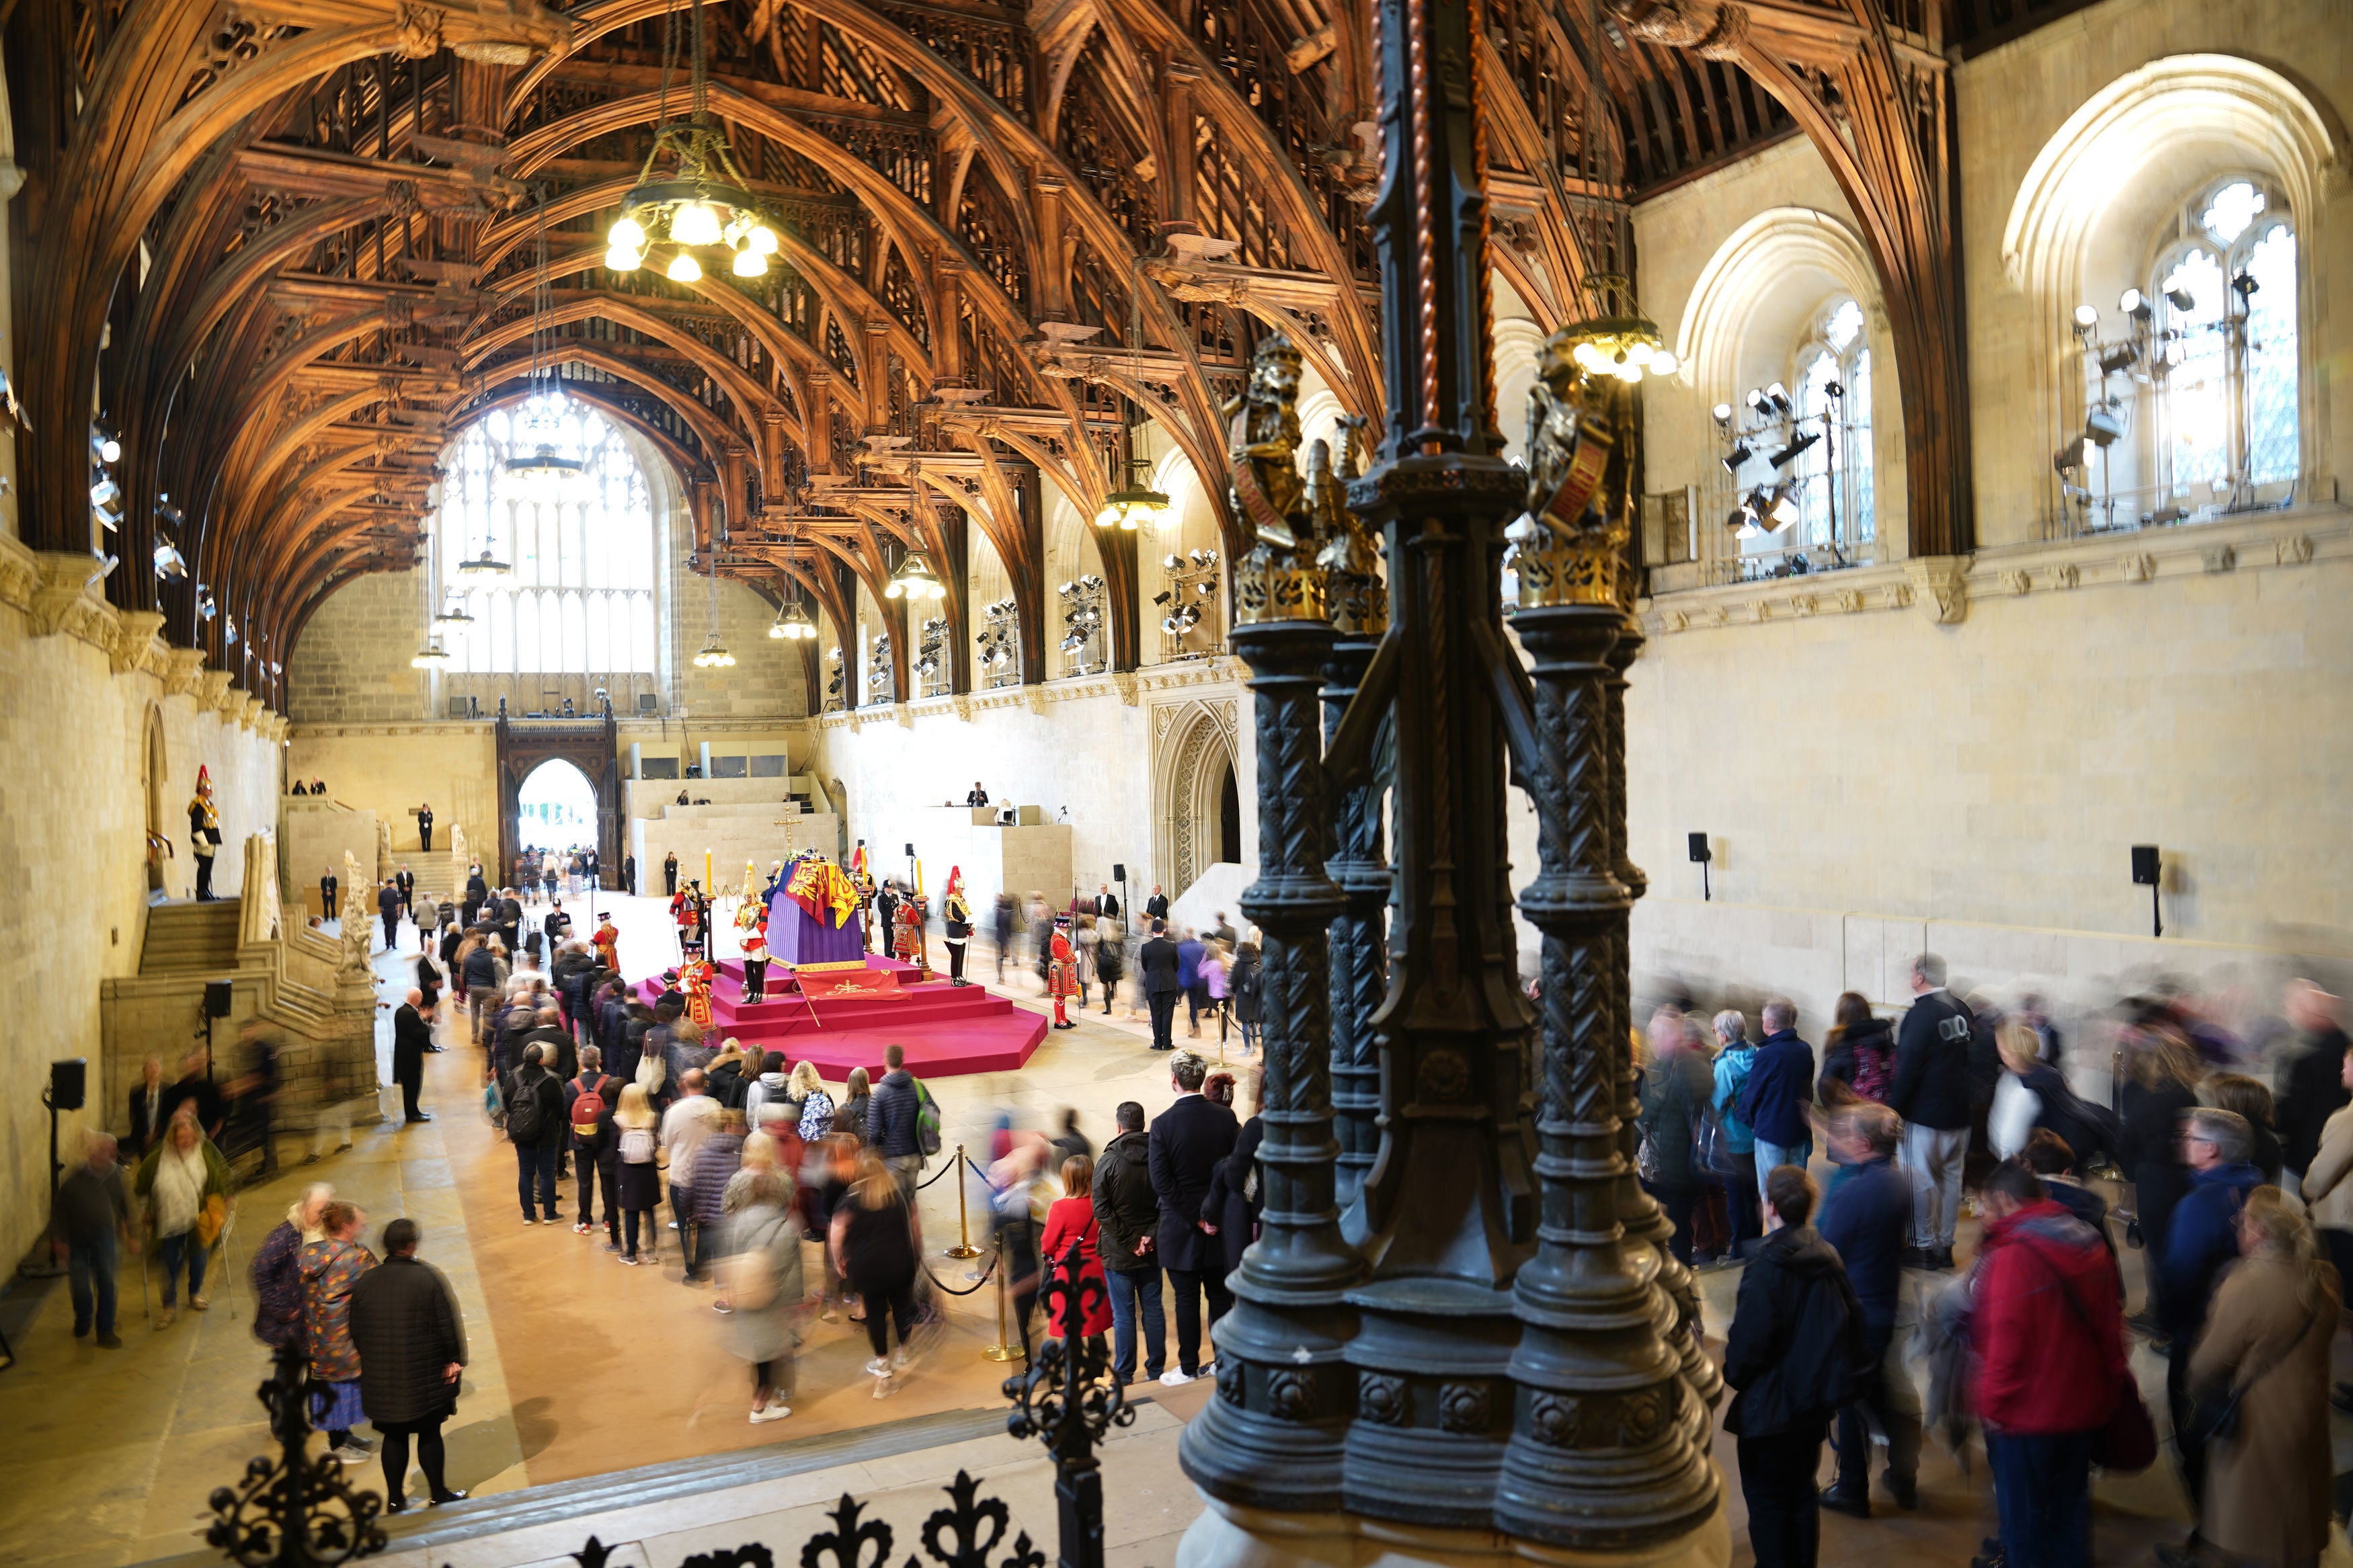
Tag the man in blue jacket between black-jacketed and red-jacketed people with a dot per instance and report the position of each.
(1867, 1217)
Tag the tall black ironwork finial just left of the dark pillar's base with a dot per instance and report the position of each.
(1069, 1400)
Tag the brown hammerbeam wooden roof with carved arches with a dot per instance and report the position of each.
(288, 246)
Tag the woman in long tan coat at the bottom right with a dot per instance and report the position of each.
(2260, 1381)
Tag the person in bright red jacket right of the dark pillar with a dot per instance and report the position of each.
(2051, 1341)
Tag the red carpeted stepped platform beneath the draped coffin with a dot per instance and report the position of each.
(947, 1031)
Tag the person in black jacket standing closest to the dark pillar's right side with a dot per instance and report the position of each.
(1794, 1353)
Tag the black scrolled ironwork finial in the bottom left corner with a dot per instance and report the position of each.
(295, 1510)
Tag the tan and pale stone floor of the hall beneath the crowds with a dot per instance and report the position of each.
(585, 1367)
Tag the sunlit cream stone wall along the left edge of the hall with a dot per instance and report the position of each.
(74, 817)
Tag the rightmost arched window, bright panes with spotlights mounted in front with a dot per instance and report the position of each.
(2192, 387)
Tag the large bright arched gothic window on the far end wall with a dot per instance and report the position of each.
(580, 596)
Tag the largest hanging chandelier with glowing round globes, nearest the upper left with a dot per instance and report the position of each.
(705, 201)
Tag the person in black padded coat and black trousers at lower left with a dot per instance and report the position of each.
(411, 1339)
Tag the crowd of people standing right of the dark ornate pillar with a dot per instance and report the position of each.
(2237, 1200)
